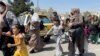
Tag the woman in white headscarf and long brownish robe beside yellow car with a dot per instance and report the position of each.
(35, 42)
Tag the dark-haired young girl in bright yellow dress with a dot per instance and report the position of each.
(19, 41)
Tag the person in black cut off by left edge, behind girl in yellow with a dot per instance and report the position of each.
(4, 40)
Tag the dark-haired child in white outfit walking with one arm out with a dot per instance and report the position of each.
(57, 32)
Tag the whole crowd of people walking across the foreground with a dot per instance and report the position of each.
(78, 31)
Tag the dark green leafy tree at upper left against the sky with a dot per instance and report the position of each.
(20, 6)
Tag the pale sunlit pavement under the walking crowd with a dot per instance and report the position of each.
(94, 50)
